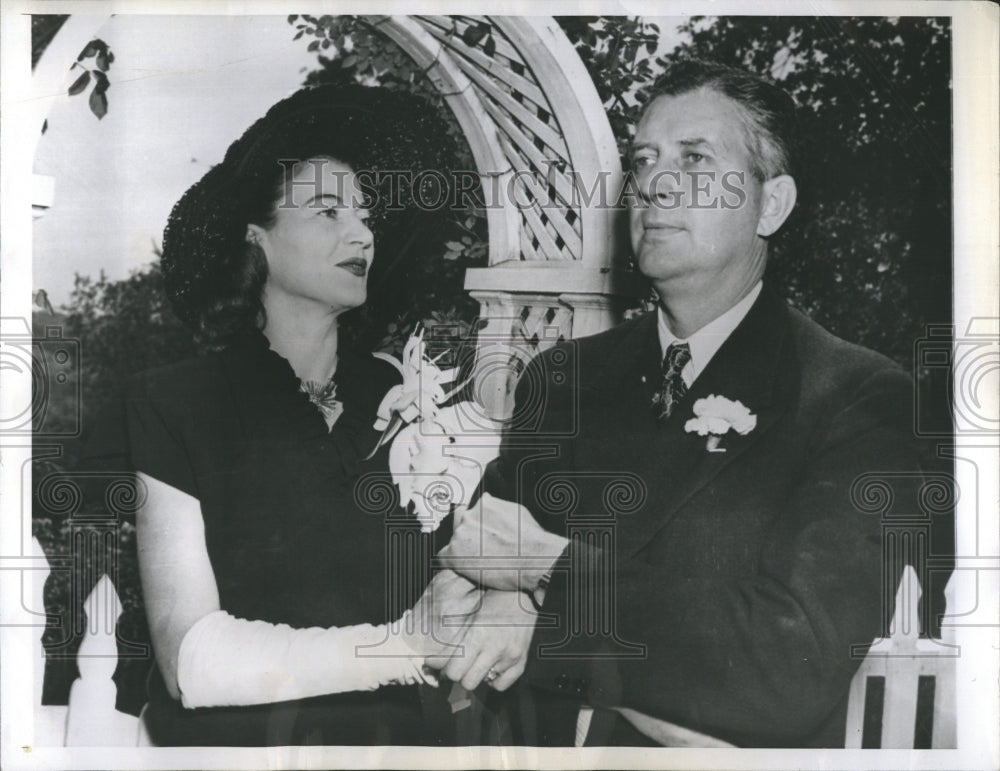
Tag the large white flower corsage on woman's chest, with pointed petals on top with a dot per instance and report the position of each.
(438, 454)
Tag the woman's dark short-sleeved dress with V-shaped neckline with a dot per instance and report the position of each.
(297, 525)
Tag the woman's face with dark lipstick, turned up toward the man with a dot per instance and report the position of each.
(319, 248)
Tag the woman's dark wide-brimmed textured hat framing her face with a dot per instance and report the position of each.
(213, 277)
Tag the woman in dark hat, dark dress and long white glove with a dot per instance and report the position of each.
(263, 575)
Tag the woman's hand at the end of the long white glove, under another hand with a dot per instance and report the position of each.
(436, 623)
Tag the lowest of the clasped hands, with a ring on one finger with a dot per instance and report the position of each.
(495, 645)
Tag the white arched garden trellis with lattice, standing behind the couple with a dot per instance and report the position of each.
(541, 143)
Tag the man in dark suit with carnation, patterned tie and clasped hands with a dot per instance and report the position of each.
(703, 570)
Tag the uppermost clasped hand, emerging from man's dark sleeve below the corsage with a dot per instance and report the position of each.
(499, 545)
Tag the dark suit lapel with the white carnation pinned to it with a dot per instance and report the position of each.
(755, 366)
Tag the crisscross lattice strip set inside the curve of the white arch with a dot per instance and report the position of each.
(532, 140)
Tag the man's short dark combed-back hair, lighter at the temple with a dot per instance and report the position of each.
(769, 111)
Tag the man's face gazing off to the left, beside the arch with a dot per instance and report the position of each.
(696, 224)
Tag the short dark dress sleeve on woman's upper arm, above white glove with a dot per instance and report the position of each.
(156, 429)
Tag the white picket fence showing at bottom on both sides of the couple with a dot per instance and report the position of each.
(90, 718)
